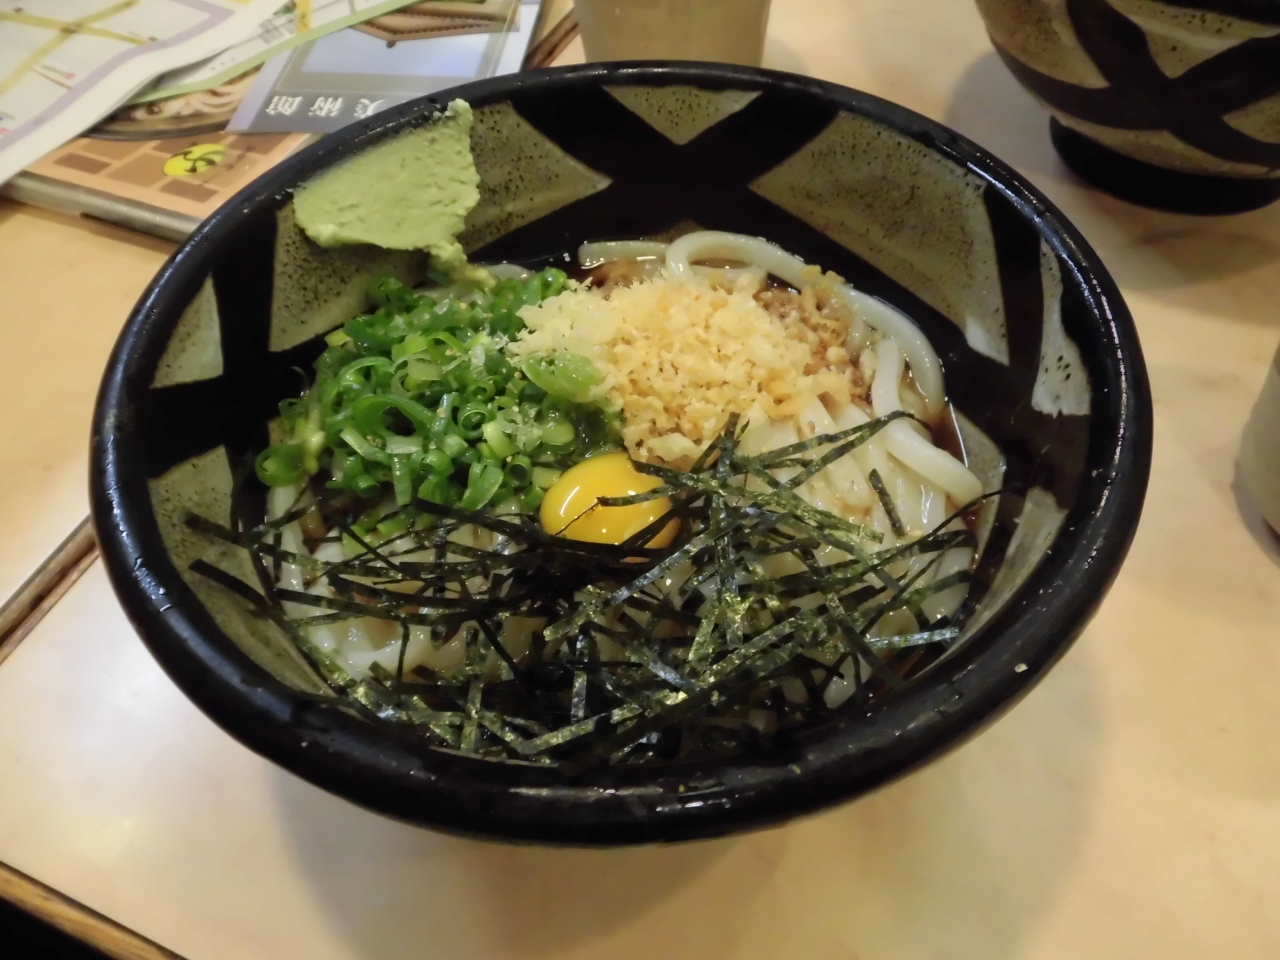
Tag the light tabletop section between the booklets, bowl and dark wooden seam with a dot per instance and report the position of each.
(68, 286)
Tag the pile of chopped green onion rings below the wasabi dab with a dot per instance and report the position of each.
(419, 388)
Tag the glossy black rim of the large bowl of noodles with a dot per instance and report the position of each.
(408, 780)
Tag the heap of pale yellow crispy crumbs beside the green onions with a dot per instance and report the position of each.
(678, 356)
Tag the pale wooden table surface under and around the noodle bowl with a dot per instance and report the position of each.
(1128, 808)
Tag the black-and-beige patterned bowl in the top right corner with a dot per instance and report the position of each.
(1173, 104)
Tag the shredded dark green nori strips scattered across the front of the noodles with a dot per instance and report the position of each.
(726, 641)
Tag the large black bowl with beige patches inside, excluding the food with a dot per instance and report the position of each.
(900, 205)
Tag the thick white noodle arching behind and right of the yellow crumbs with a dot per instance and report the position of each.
(714, 245)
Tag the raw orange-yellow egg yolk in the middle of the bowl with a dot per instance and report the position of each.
(569, 509)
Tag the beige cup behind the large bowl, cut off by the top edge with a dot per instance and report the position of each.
(720, 31)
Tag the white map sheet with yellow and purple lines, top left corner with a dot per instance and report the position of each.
(65, 65)
